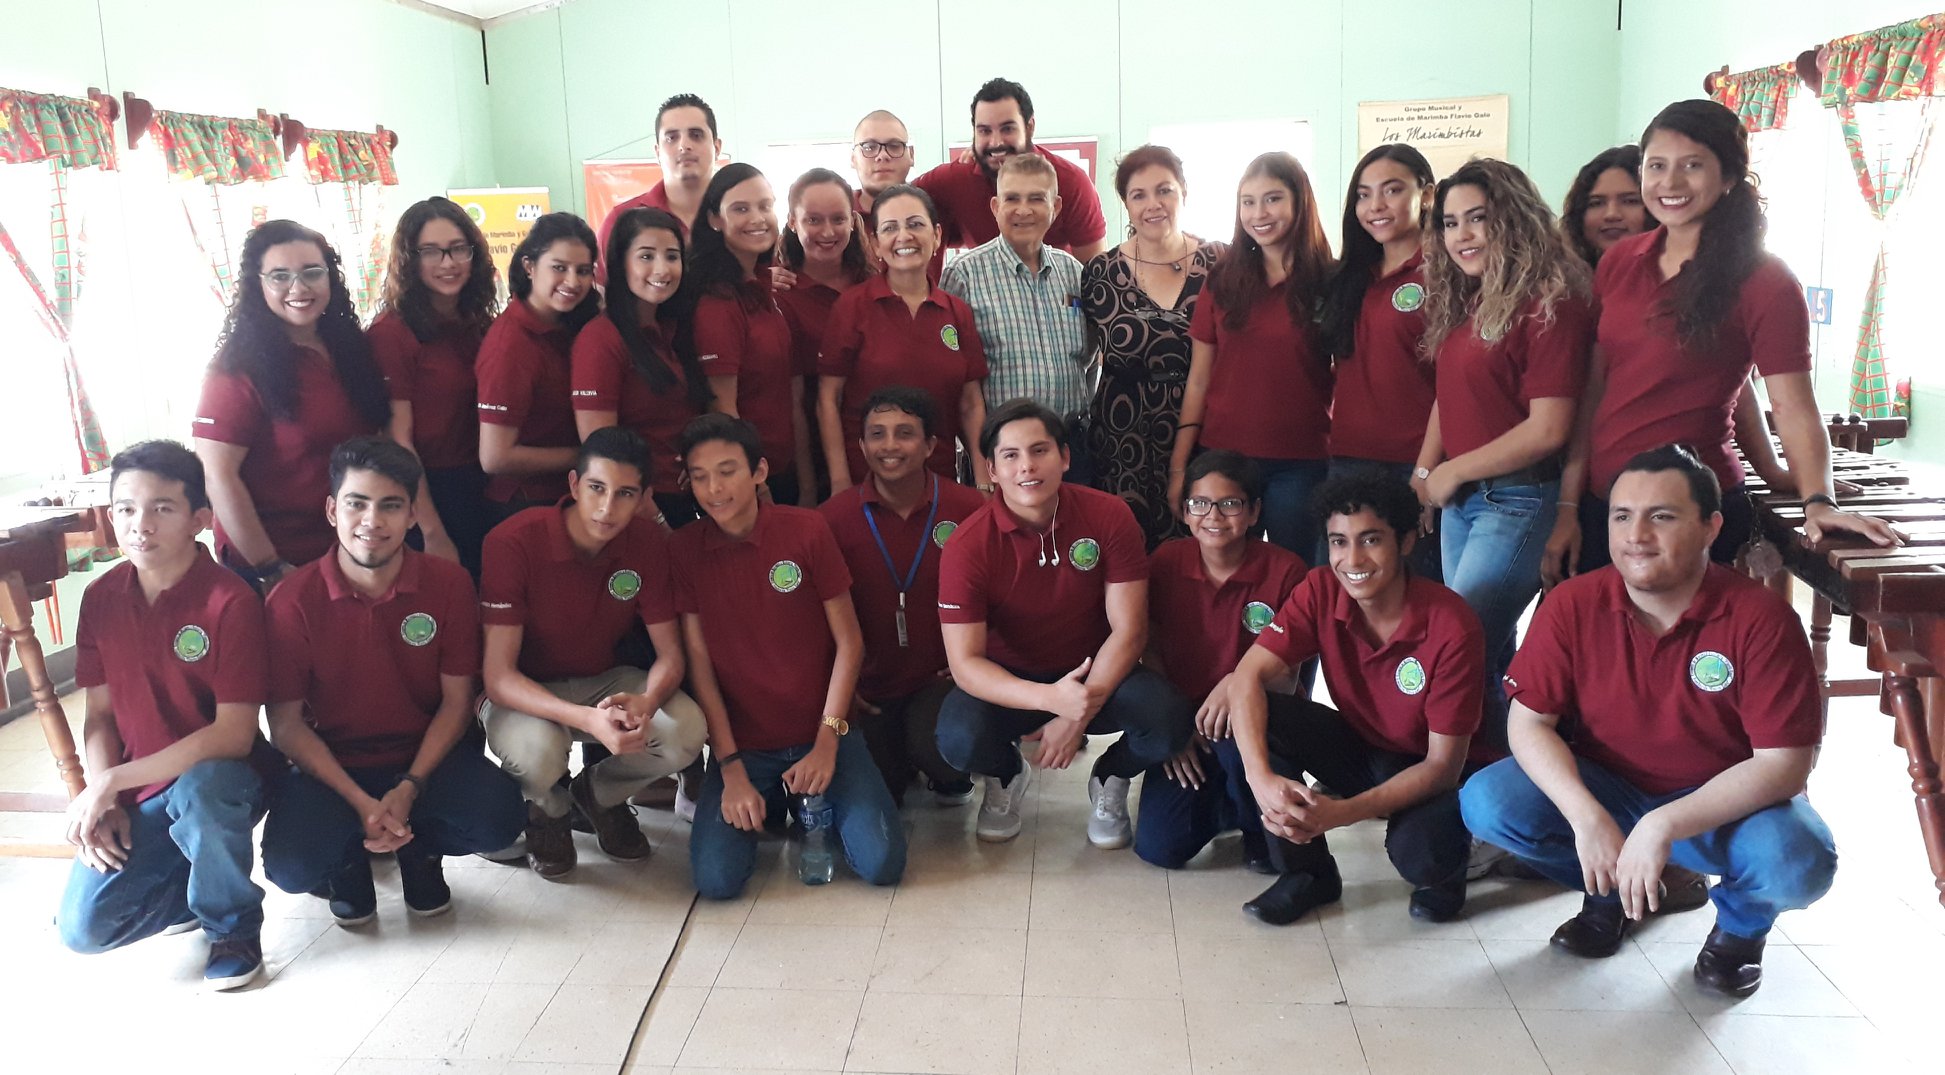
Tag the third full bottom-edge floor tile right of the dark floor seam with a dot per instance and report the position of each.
(1071, 1035)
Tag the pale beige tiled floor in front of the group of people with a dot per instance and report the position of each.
(1034, 957)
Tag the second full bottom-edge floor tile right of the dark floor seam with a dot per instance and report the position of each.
(927, 1033)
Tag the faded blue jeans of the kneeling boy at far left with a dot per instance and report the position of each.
(190, 858)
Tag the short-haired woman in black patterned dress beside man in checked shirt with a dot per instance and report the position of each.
(1141, 298)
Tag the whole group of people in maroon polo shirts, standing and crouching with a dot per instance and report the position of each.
(616, 537)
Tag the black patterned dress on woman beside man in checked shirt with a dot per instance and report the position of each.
(1145, 366)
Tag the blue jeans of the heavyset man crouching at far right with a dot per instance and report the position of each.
(1775, 860)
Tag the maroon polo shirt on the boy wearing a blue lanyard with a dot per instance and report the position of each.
(892, 670)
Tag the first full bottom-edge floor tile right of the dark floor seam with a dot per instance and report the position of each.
(769, 1029)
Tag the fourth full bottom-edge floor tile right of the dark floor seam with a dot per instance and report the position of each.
(1230, 1037)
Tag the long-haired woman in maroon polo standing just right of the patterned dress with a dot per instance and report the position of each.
(1259, 376)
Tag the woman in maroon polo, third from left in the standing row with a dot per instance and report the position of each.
(528, 434)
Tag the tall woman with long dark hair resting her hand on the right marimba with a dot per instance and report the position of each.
(1687, 312)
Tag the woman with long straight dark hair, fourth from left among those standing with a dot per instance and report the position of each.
(627, 368)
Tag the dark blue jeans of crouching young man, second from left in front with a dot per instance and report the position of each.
(468, 806)
